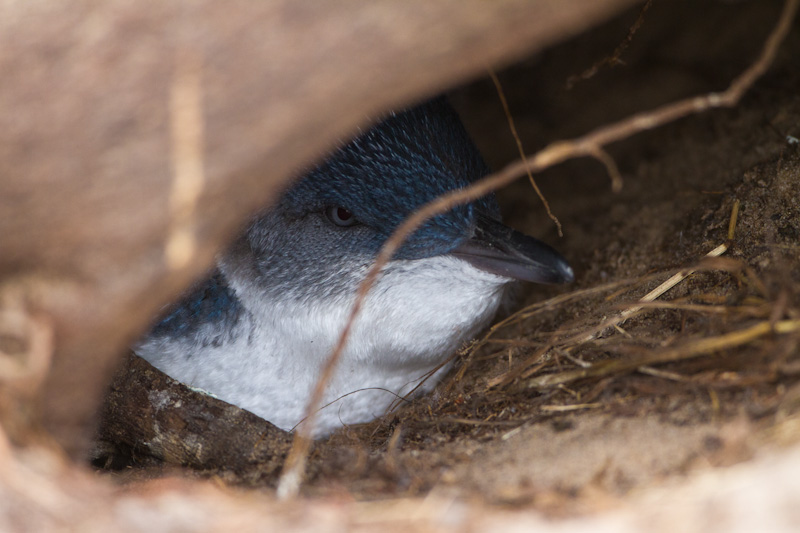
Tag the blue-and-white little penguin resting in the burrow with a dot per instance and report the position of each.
(258, 330)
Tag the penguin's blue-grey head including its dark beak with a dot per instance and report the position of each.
(327, 228)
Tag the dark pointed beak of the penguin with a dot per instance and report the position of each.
(498, 249)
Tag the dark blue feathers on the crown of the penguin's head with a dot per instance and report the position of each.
(395, 168)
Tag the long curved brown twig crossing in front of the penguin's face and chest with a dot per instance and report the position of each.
(558, 152)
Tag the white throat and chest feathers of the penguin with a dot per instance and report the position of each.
(414, 318)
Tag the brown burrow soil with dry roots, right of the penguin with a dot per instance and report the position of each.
(495, 429)
